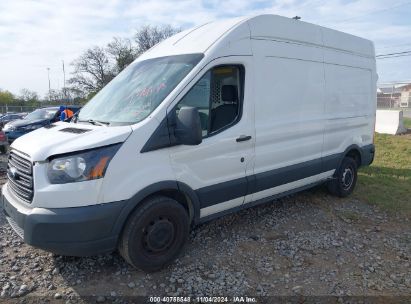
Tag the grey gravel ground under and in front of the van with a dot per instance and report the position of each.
(310, 244)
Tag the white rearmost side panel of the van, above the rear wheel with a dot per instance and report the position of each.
(350, 107)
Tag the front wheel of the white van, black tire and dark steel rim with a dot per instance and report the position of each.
(154, 234)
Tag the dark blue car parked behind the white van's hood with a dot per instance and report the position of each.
(34, 120)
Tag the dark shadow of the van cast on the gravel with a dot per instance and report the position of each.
(110, 276)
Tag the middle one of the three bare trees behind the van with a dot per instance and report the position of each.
(122, 52)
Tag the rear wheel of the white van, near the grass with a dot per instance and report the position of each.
(345, 178)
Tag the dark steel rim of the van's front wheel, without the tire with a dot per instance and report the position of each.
(159, 235)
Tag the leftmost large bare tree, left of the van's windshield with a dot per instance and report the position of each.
(92, 70)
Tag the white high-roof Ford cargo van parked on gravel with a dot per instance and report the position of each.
(215, 119)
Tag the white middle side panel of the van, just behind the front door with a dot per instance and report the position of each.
(289, 107)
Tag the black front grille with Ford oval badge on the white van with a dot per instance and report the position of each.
(20, 177)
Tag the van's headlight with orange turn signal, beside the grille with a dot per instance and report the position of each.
(77, 167)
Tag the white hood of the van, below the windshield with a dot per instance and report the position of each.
(63, 137)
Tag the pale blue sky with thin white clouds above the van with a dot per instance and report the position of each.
(40, 34)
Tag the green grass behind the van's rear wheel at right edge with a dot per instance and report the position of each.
(387, 182)
